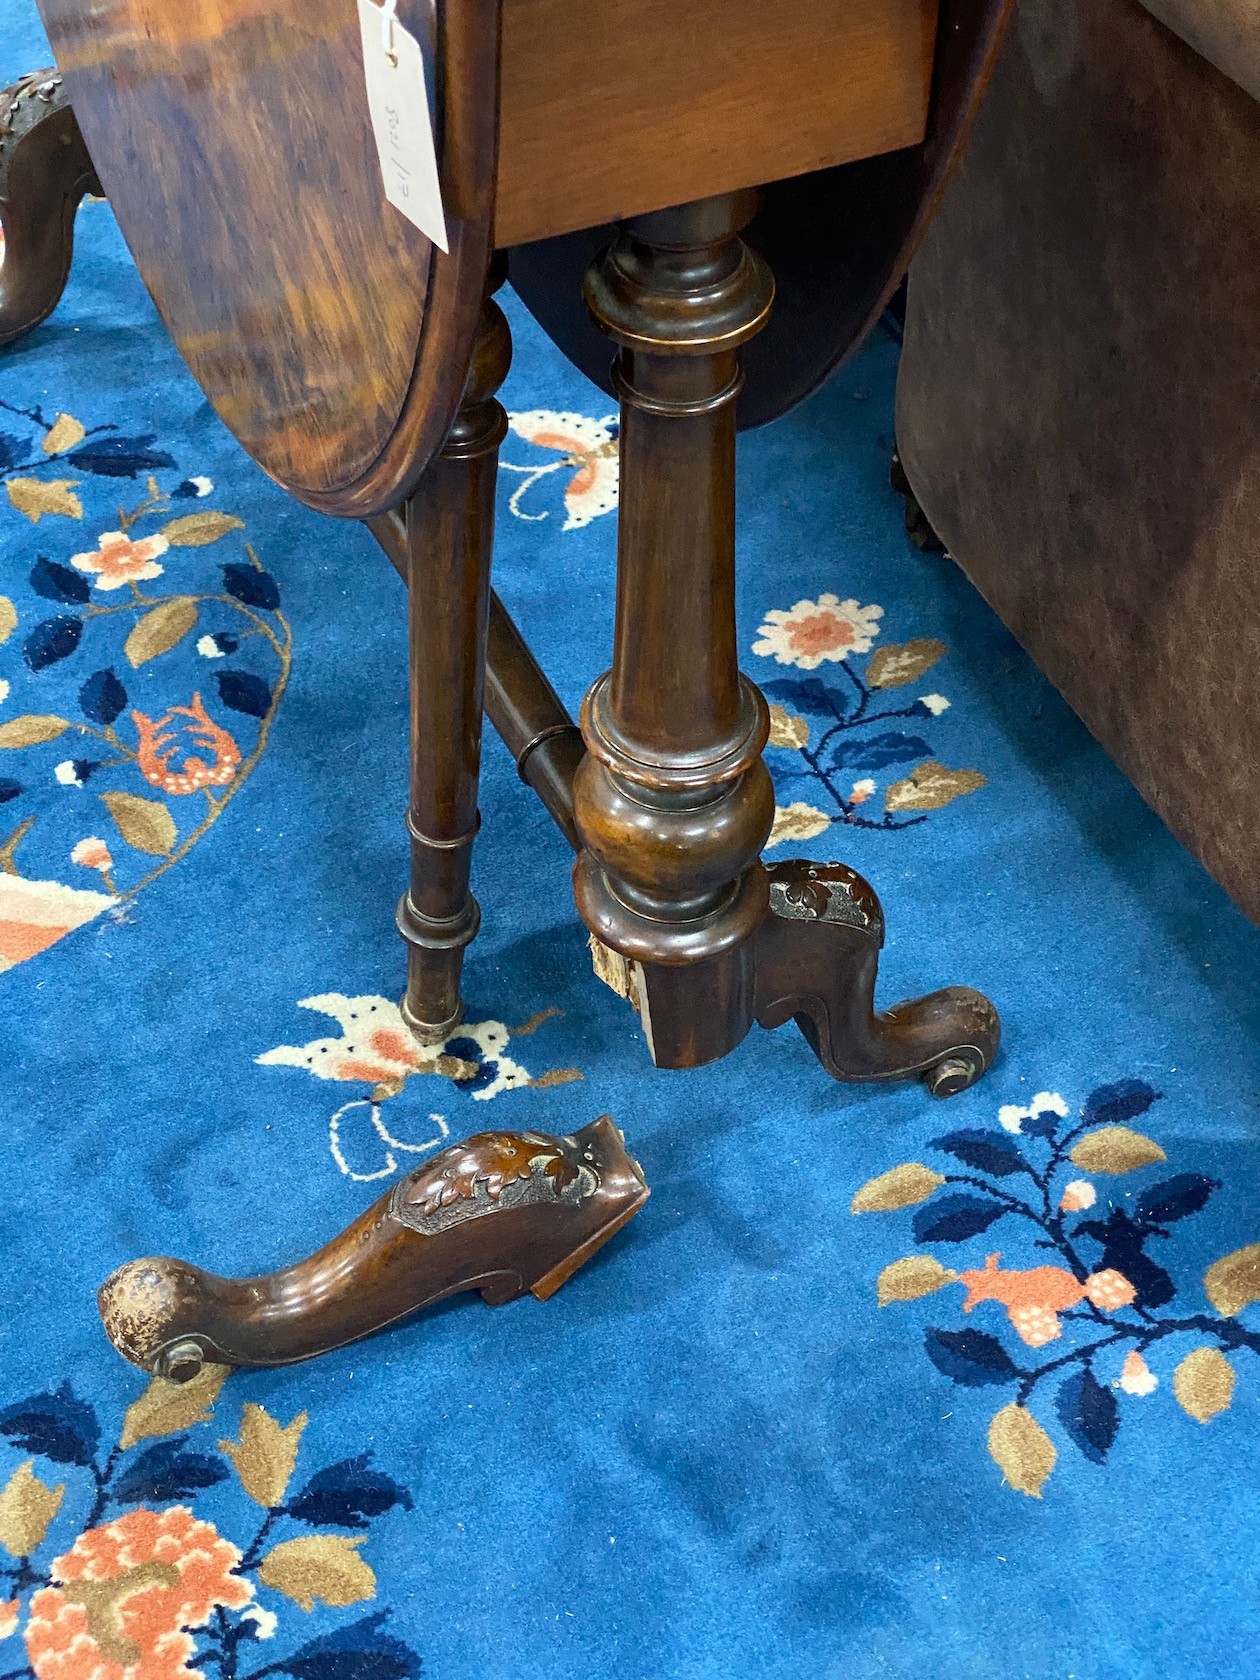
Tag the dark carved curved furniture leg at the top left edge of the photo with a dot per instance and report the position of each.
(45, 172)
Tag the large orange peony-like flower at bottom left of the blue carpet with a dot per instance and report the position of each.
(127, 1597)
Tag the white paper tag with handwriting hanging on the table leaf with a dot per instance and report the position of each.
(401, 118)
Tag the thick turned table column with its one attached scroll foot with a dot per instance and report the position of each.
(673, 802)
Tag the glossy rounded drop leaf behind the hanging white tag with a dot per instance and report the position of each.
(310, 312)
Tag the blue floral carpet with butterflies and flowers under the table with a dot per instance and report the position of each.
(794, 1422)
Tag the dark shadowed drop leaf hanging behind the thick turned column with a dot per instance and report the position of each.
(837, 243)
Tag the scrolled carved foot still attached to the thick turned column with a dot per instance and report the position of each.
(817, 958)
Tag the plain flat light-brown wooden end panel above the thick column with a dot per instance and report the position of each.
(639, 105)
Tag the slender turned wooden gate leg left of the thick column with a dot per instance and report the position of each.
(449, 532)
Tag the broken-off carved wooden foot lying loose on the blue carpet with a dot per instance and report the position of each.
(501, 1214)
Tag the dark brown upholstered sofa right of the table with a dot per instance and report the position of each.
(1079, 401)
